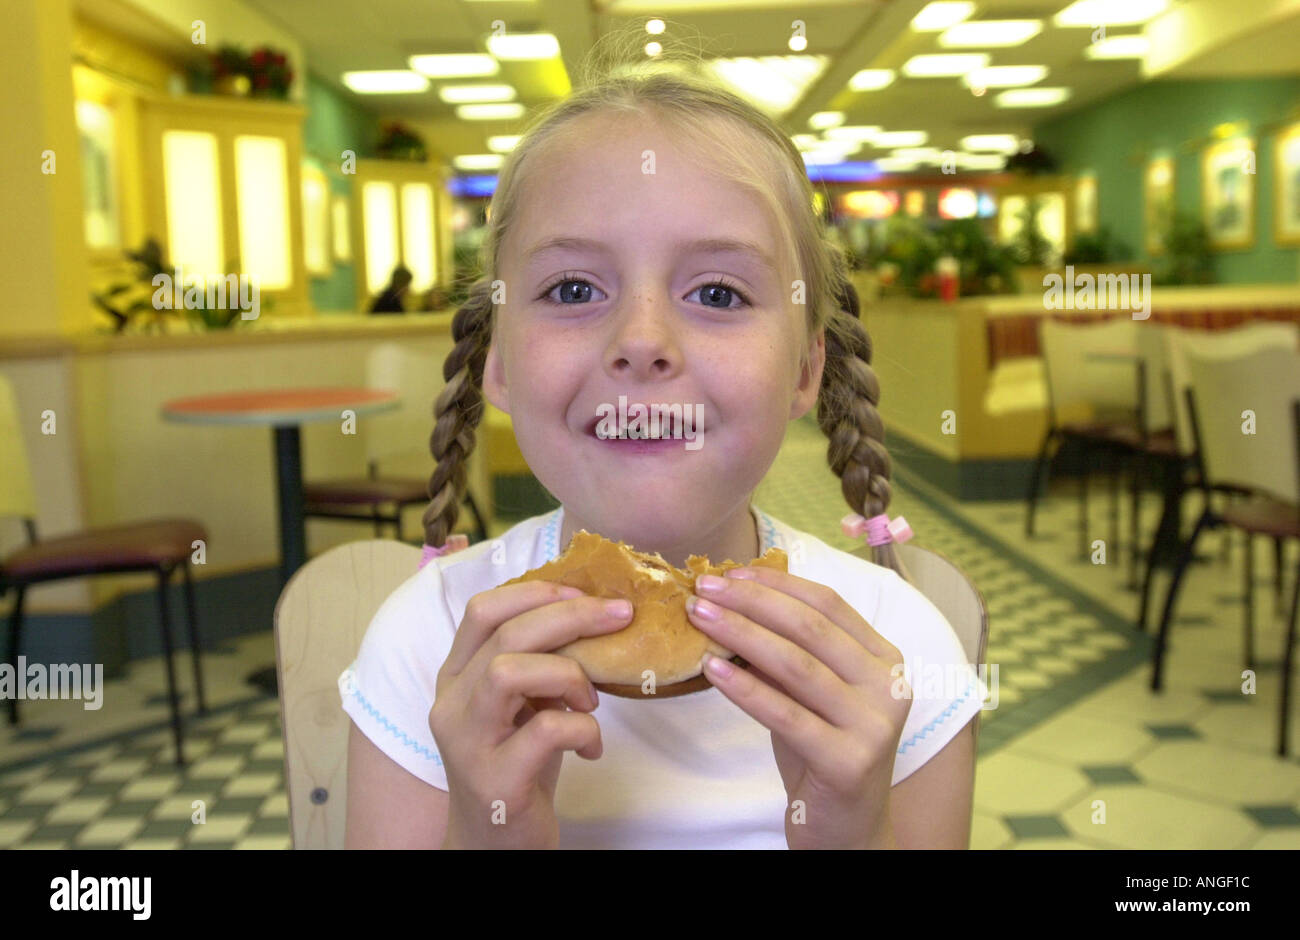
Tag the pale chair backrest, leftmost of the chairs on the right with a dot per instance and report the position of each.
(1074, 379)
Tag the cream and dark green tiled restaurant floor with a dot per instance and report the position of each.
(1078, 755)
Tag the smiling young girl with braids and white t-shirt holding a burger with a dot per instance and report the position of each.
(653, 237)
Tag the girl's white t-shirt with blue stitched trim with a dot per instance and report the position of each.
(687, 773)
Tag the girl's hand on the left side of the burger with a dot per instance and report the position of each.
(500, 716)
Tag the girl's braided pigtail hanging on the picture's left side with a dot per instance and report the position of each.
(458, 411)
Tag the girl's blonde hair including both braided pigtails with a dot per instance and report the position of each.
(762, 158)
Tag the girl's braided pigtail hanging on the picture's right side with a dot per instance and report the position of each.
(848, 417)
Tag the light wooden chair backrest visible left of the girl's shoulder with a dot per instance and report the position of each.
(320, 621)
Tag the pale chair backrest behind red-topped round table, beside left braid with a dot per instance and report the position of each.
(405, 432)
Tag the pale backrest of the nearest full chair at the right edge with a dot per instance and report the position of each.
(1245, 422)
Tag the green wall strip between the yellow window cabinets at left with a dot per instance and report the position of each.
(333, 125)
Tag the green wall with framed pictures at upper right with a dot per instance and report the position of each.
(1116, 137)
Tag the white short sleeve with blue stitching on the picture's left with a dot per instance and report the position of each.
(391, 687)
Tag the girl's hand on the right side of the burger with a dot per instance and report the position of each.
(824, 682)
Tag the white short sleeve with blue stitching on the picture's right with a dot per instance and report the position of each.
(947, 690)
